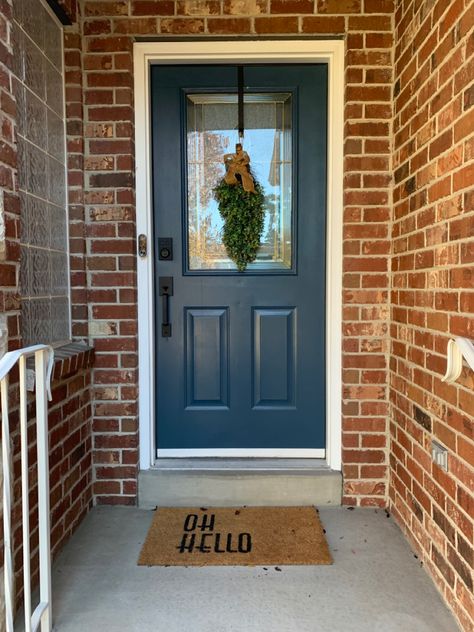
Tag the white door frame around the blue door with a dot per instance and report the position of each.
(228, 52)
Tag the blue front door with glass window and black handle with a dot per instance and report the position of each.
(240, 356)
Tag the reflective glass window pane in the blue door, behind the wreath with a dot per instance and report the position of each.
(211, 133)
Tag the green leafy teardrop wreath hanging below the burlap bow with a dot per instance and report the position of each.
(243, 213)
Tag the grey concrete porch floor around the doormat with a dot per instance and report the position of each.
(375, 584)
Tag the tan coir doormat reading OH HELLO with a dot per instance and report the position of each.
(238, 536)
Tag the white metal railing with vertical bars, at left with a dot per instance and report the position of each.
(44, 356)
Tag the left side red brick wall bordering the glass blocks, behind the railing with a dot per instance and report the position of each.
(70, 411)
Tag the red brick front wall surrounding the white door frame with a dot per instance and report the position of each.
(108, 30)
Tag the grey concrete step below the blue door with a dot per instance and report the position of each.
(235, 482)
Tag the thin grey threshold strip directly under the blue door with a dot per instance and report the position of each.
(240, 464)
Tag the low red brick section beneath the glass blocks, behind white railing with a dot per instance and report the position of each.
(70, 459)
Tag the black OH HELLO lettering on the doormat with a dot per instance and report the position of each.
(241, 543)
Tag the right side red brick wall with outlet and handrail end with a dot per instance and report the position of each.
(432, 296)
